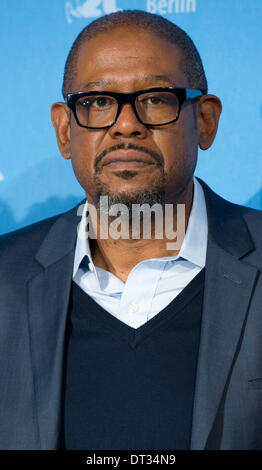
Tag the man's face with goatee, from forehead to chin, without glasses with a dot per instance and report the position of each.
(127, 60)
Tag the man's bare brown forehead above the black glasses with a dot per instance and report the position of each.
(126, 59)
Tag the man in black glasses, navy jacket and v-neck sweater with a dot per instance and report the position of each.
(126, 343)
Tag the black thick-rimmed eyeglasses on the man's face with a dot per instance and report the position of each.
(152, 107)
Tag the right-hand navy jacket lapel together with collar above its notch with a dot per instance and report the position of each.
(228, 290)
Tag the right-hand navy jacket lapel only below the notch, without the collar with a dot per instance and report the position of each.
(228, 290)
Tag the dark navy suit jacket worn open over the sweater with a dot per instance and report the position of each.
(36, 266)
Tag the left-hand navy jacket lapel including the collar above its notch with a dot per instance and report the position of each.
(48, 297)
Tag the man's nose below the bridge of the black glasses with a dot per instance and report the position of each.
(127, 124)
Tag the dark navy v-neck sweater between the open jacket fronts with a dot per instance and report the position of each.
(127, 388)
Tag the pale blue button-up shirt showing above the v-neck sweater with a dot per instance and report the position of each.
(151, 284)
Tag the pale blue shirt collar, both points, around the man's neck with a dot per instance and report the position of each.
(193, 247)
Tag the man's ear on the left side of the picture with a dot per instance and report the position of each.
(60, 115)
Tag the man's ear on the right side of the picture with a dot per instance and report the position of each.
(209, 108)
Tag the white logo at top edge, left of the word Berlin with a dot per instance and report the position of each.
(89, 9)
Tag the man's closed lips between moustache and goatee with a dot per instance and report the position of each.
(127, 159)
